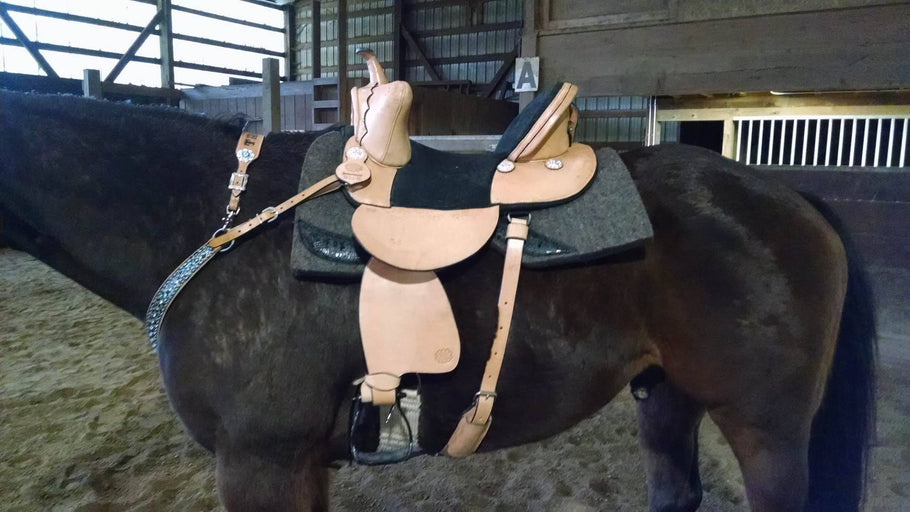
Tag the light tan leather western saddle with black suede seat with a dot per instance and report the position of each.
(421, 210)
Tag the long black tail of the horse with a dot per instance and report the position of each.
(838, 448)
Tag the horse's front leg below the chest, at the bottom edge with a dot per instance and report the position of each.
(252, 480)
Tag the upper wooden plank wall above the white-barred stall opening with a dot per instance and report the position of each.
(670, 47)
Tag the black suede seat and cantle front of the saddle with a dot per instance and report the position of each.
(443, 180)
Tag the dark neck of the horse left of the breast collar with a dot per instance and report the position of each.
(112, 196)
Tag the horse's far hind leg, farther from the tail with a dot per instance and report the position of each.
(668, 437)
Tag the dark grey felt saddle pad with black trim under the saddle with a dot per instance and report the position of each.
(607, 218)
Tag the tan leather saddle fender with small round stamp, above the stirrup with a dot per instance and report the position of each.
(406, 326)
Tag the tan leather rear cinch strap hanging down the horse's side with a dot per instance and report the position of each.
(475, 422)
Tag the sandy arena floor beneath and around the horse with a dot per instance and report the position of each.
(85, 425)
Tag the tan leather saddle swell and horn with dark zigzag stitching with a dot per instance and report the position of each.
(379, 113)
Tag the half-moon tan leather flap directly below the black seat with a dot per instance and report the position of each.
(422, 239)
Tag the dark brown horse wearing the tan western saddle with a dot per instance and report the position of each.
(746, 299)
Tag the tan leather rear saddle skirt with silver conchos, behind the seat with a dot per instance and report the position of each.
(533, 182)
